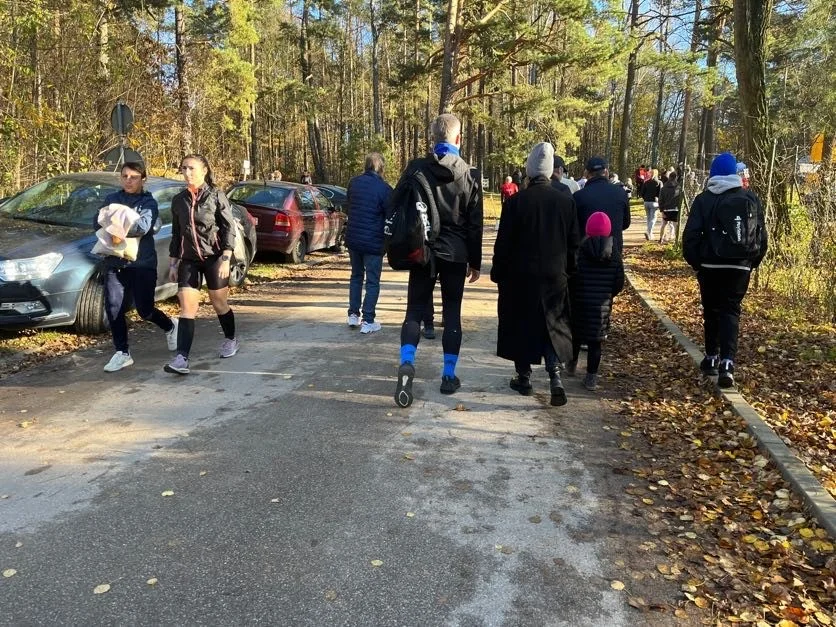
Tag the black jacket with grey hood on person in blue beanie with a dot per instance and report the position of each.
(695, 245)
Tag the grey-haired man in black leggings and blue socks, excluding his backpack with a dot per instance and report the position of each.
(457, 255)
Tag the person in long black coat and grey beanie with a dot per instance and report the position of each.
(534, 255)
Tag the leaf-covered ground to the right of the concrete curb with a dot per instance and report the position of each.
(786, 364)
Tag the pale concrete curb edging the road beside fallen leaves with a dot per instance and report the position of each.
(821, 504)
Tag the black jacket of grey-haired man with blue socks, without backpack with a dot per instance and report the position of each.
(458, 196)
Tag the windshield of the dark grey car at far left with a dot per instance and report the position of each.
(61, 201)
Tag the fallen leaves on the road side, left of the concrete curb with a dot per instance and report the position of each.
(738, 541)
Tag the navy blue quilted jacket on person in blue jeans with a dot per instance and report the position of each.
(368, 194)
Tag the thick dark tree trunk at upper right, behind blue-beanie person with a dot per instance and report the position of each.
(751, 22)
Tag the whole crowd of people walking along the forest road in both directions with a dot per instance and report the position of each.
(557, 259)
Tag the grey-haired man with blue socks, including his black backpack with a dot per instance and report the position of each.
(445, 194)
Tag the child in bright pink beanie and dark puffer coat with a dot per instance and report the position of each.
(599, 277)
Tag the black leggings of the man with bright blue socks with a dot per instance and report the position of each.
(419, 294)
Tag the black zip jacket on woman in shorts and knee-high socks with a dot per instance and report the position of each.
(202, 224)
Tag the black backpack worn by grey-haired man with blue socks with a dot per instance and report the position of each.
(412, 222)
